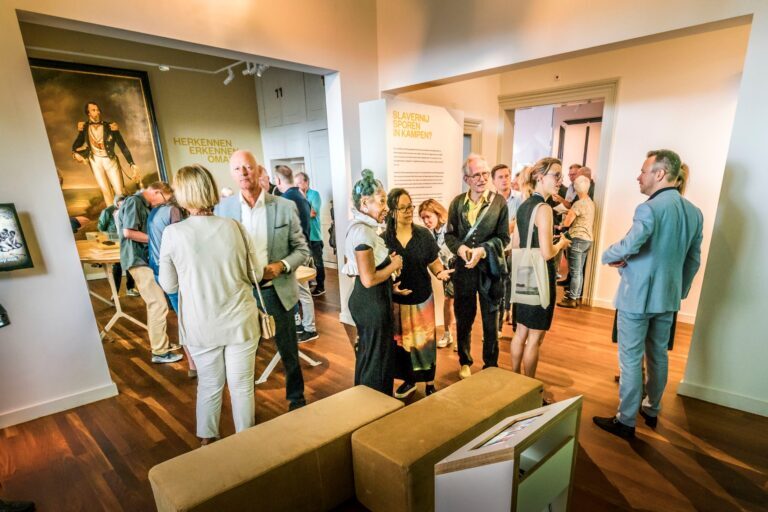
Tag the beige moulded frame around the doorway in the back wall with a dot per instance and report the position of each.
(602, 89)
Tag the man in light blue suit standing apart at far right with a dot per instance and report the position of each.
(657, 260)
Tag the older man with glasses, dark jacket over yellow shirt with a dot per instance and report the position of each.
(477, 232)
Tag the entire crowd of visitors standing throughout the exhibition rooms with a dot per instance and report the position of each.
(225, 263)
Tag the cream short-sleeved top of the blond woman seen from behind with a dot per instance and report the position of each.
(212, 264)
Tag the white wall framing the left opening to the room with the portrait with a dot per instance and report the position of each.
(51, 352)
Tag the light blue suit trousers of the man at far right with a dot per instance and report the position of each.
(642, 333)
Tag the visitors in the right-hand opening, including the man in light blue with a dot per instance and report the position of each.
(468, 247)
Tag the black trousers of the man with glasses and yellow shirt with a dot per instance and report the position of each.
(466, 284)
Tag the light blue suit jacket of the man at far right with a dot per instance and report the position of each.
(663, 253)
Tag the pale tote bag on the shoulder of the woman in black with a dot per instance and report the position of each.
(529, 274)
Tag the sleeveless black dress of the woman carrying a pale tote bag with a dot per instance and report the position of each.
(535, 317)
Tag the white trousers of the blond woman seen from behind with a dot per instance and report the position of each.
(215, 365)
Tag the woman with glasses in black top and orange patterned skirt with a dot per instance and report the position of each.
(413, 304)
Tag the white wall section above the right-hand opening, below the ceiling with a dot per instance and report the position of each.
(421, 41)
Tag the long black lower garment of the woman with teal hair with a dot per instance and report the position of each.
(371, 309)
